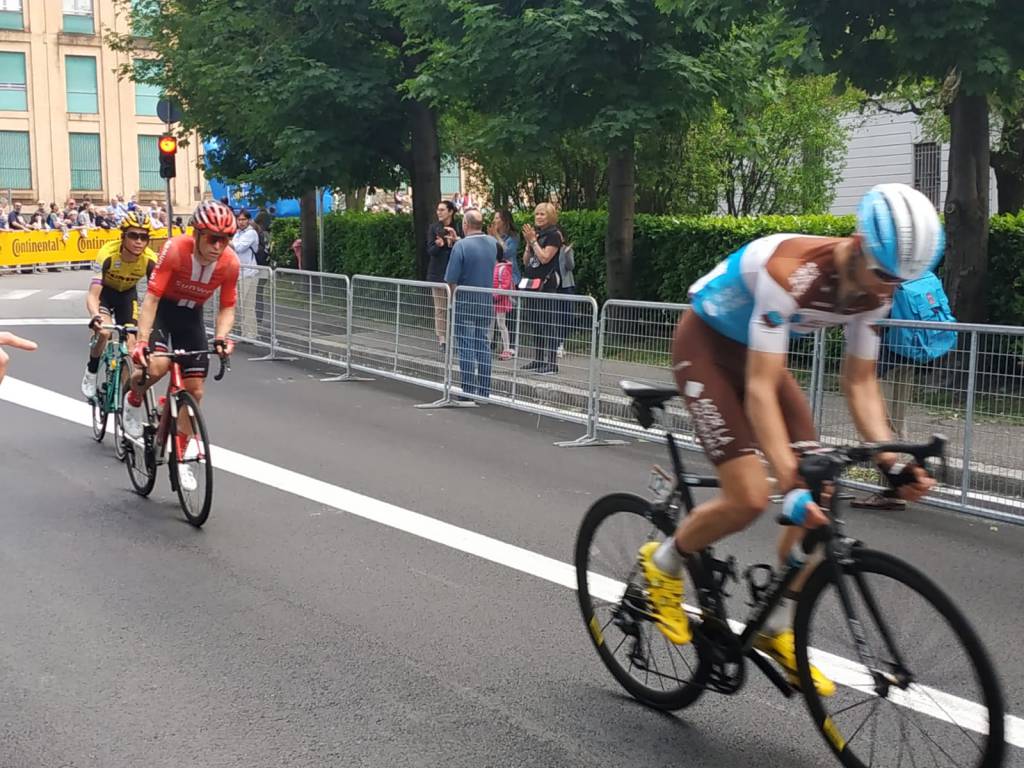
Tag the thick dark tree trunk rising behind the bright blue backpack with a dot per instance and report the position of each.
(967, 208)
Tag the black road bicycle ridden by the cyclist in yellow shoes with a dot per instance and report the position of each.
(915, 686)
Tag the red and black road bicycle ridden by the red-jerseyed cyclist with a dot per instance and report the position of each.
(175, 434)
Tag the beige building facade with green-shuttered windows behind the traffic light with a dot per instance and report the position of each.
(68, 124)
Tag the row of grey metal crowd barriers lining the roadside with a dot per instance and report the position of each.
(563, 357)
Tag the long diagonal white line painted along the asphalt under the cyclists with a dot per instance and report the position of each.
(968, 714)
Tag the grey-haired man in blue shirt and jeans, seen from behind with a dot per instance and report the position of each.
(473, 266)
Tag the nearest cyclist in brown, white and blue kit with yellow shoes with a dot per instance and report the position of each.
(730, 359)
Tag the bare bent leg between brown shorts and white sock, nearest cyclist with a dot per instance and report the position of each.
(746, 489)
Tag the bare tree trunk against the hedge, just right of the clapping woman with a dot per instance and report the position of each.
(619, 240)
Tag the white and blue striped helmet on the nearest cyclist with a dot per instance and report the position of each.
(902, 232)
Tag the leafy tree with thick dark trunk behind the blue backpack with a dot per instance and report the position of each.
(976, 49)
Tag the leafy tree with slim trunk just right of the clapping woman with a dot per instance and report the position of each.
(608, 71)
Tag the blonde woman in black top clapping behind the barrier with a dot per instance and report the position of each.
(541, 262)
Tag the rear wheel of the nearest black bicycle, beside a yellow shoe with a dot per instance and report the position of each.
(614, 602)
